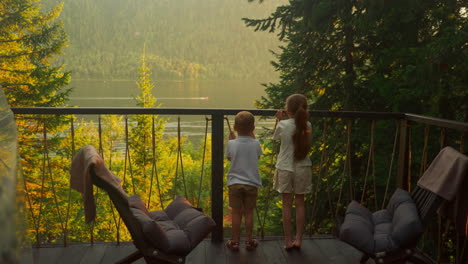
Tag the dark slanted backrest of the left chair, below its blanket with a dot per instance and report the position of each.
(120, 201)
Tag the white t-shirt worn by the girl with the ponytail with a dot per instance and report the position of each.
(284, 132)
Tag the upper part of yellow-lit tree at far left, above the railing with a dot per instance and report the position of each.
(29, 40)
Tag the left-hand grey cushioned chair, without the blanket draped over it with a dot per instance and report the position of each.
(165, 236)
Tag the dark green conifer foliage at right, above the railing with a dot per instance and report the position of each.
(402, 56)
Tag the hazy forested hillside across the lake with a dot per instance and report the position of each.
(185, 39)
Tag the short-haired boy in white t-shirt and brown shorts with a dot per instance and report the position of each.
(243, 178)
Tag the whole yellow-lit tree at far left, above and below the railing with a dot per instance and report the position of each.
(29, 40)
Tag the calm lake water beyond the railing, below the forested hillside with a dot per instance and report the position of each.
(179, 94)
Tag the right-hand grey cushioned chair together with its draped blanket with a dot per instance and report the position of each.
(390, 235)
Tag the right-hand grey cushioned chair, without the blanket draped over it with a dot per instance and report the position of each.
(390, 235)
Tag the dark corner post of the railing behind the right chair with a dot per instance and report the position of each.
(403, 156)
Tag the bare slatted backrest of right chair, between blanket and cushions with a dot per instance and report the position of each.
(426, 202)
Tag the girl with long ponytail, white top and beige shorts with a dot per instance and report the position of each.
(293, 167)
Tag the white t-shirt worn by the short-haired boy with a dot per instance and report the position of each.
(244, 152)
